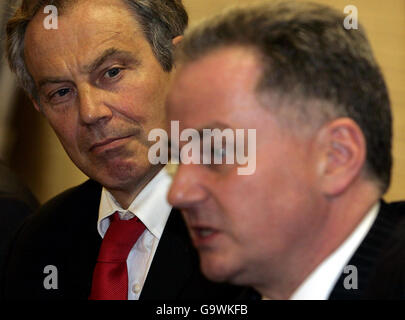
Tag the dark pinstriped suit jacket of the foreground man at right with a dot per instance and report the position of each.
(380, 259)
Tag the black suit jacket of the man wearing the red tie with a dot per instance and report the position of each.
(64, 234)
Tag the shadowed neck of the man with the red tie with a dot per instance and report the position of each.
(126, 196)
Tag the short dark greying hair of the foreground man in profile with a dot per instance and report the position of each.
(308, 55)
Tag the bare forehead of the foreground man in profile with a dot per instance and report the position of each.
(220, 84)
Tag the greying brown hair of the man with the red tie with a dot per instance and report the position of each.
(160, 20)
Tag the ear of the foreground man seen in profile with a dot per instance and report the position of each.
(343, 154)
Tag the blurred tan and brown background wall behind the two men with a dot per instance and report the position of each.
(31, 149)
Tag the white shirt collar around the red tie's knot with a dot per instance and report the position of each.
(150, 206)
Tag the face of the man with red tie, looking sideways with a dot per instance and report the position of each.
(100, 87)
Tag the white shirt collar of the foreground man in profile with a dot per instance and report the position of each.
(320, 283)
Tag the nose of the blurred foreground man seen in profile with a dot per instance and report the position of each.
(187, 188)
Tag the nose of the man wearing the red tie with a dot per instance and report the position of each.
(92, 106)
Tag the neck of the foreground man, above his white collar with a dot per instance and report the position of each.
(344, 214)
